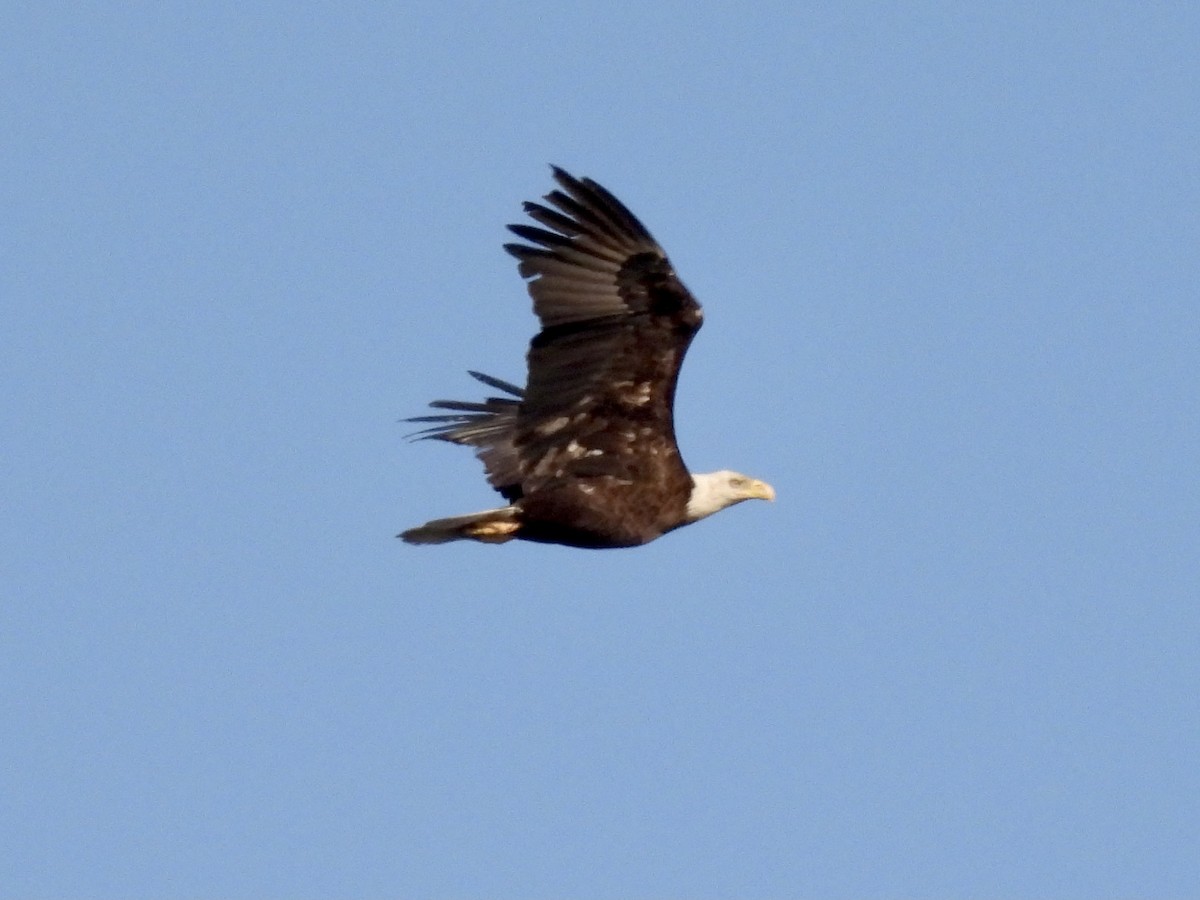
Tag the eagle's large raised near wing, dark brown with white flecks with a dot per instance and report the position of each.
(616, 323)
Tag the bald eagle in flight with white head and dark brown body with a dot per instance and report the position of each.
(586, 453)
